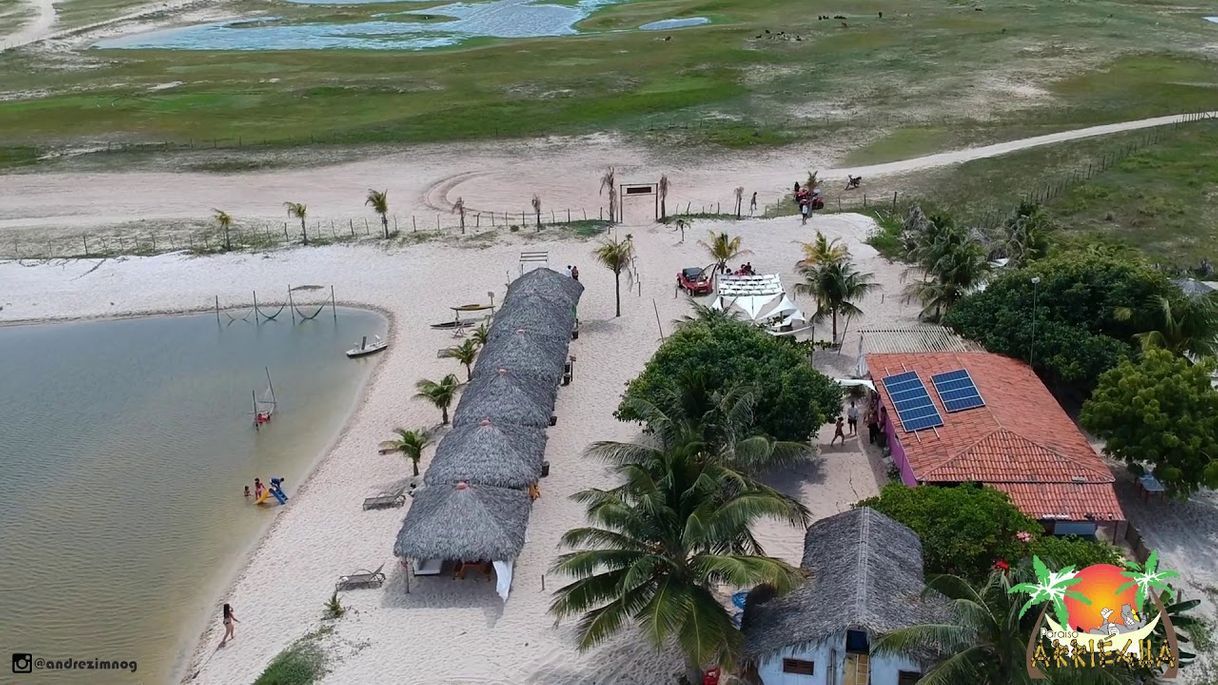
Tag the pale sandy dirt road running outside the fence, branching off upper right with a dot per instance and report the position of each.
(427, 181)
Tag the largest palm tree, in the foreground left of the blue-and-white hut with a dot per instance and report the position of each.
(658, 548)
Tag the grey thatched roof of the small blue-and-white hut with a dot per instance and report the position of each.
(865, 573)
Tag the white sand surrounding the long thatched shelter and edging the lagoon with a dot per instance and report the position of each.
(446, 631)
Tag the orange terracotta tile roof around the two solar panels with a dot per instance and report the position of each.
(1020, 442)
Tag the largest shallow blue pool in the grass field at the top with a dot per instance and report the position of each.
(495, 19)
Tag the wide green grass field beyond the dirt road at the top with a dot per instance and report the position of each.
(928, 76)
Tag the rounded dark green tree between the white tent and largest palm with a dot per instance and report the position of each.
(794, 400)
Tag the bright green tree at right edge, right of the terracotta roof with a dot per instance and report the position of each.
(1161, 413)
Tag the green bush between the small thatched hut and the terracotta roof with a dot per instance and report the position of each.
(965, 530)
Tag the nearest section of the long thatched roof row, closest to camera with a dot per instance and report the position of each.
(465, 522)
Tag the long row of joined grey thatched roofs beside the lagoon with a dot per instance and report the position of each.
(474, 506)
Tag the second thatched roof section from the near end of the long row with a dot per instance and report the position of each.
(489, 454)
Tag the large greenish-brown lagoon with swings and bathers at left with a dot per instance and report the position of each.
(125, 449)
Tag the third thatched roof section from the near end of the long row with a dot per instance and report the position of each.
(506, 397)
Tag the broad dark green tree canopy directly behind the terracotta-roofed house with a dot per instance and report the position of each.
(1090, 305)
